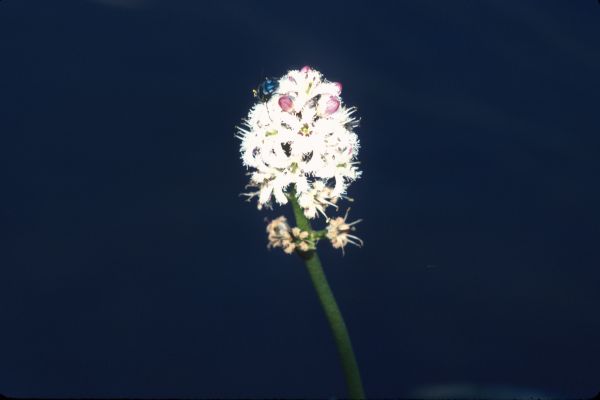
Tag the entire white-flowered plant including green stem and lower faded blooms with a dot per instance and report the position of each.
(299, 145)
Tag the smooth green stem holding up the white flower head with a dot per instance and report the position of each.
(332, 311)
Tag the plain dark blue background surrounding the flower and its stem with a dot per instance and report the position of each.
(129, 266)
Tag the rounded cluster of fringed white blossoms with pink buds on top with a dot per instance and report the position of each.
(299, 132)
